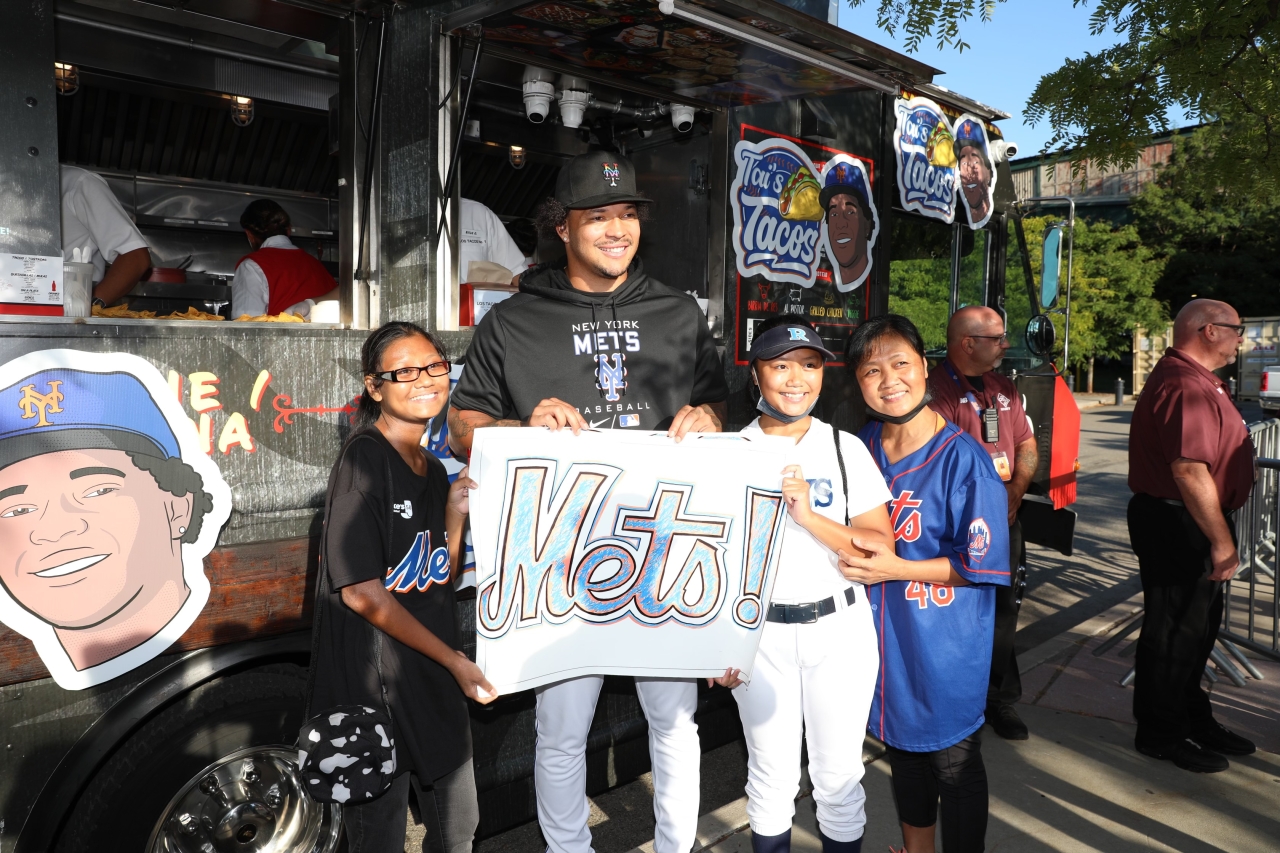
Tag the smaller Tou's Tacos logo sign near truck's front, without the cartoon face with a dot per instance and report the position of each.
(926, 159)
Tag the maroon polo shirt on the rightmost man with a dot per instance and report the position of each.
(1186, 413)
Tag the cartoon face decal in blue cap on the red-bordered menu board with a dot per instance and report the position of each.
(852, 223)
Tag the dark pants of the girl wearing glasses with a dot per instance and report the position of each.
(449, 808)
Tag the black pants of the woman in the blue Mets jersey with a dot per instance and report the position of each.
(958, 777)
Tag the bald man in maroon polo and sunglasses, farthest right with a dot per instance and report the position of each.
(1191, 463)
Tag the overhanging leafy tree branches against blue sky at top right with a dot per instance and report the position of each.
(1215, 61)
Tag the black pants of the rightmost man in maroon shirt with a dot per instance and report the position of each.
(1180, 627)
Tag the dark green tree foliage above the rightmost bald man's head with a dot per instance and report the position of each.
(1213, 245)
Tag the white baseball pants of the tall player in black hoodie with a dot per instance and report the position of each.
(565, 713)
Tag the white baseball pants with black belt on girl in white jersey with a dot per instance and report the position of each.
(816, 681)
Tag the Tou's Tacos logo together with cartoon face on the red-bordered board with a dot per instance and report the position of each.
(785, 208)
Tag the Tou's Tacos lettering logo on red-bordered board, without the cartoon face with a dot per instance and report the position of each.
(778, 216)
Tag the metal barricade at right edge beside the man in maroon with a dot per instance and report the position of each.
(1251, 613)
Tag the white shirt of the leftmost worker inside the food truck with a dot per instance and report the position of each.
(95, 220)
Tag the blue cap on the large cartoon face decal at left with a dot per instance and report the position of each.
(65, 409)
